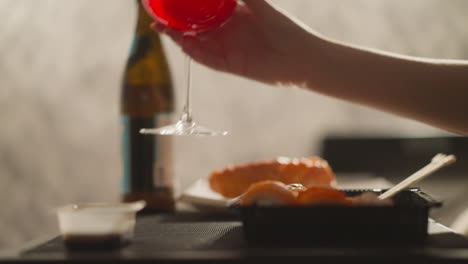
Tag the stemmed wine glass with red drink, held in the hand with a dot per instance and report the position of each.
(190, 17)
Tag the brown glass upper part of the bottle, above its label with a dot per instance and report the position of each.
(147, 86)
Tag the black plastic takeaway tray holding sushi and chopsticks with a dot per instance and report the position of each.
(406, 221)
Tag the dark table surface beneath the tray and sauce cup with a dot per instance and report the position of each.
(218, 238)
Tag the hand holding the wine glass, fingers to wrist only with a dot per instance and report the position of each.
(259, 42)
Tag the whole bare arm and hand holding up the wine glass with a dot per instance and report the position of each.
(263, 43)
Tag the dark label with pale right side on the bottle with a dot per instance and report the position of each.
(147, 159)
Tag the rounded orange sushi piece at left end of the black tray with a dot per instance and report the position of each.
(270, 193)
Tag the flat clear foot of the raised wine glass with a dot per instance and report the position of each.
(183, 128)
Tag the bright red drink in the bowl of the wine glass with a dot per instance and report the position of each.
(191, 16)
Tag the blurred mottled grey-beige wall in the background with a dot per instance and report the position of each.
(60, 68)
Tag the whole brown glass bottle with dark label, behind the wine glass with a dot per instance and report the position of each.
(147, 101)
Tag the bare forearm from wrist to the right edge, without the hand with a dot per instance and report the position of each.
(431, 91)
